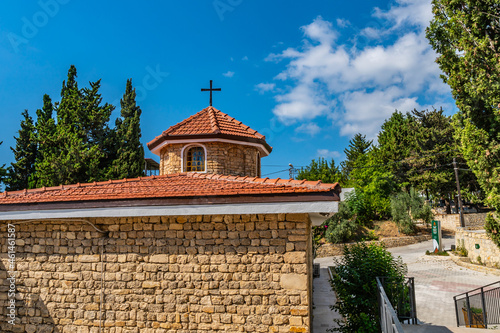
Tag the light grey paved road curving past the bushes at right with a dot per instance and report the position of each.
(437, 280)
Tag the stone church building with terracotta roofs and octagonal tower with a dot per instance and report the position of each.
(207, 246)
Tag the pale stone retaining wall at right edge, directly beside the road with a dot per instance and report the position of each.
(488, 251)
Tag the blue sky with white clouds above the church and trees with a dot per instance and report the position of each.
(308, 75)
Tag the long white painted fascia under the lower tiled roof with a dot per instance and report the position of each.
(317, 209)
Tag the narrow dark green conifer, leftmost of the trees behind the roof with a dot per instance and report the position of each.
(25, 152)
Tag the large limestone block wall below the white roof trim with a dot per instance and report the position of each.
(231, 273)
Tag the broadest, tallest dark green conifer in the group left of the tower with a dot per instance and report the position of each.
(79, 138)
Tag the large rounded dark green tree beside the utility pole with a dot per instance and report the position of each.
(418, 149)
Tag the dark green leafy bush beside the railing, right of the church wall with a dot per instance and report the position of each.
(356, 288)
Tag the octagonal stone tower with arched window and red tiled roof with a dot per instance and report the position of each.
(210, 142)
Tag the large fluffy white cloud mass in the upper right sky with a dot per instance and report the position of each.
(358, 87)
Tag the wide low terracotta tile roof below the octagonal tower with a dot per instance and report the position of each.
(182, 185)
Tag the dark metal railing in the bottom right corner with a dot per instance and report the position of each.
(479, 307)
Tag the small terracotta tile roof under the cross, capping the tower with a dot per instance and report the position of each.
(212, 122)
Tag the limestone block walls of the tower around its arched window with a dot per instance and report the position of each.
(222, 158)
